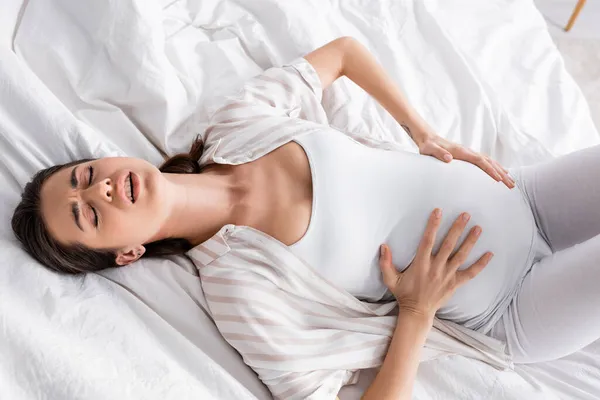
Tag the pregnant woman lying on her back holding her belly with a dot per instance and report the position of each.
(305, 236)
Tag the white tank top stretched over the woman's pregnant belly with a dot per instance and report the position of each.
(363, 197)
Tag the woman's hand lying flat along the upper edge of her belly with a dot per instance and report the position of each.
(440, 148)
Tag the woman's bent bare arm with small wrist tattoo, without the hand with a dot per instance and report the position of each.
(346, 56)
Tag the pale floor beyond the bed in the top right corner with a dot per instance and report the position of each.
(580, 47)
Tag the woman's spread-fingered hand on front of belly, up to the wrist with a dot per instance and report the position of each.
(430, 280)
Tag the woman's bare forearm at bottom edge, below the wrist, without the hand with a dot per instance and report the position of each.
(395, 379)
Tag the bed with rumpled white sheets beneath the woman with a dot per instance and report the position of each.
(134, 77)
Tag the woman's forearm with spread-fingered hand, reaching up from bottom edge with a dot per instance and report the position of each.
(421, 289)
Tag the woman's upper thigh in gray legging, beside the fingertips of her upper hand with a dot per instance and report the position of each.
(564, 194)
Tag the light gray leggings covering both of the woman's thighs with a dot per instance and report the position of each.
(557, 309)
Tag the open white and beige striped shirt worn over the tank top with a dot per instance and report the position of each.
(304, 336)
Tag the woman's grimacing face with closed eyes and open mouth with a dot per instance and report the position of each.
(93, 204)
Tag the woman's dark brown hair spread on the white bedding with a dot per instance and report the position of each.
(29, 227)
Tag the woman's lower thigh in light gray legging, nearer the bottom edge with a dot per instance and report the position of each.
(556, 311)
